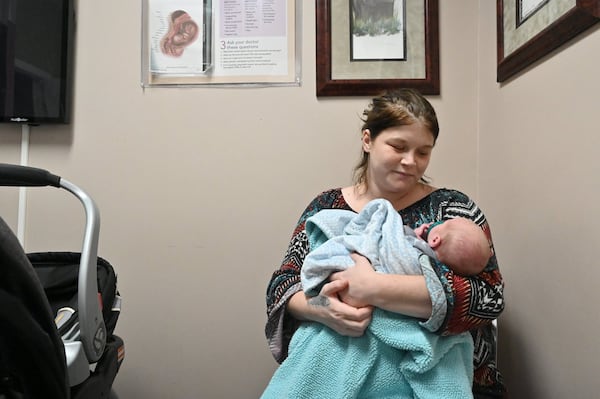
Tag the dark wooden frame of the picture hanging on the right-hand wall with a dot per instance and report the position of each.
(579, 18)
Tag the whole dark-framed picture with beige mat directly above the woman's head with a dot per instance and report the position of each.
(365, 47)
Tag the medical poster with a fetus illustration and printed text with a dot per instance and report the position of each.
(206, 42)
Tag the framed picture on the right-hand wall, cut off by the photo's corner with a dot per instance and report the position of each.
(528, 30)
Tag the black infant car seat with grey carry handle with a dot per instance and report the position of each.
(58, 310)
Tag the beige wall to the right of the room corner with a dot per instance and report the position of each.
(538, 181)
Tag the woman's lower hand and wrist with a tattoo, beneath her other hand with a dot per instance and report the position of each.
(328, 309)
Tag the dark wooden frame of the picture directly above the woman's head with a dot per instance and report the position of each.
(326, 86)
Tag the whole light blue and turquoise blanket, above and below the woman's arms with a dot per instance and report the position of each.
(396, 357)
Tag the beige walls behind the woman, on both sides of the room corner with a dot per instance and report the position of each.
(199, 190)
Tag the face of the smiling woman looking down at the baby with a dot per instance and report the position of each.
(398, 157)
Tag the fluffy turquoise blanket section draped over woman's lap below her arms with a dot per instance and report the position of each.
(395, 358)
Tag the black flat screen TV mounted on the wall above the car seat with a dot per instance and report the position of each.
(36, 60)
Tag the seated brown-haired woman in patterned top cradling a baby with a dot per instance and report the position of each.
(399, 132)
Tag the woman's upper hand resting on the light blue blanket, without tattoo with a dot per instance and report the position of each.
(359, 280)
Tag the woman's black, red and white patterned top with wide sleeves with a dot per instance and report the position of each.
(468, 303)
